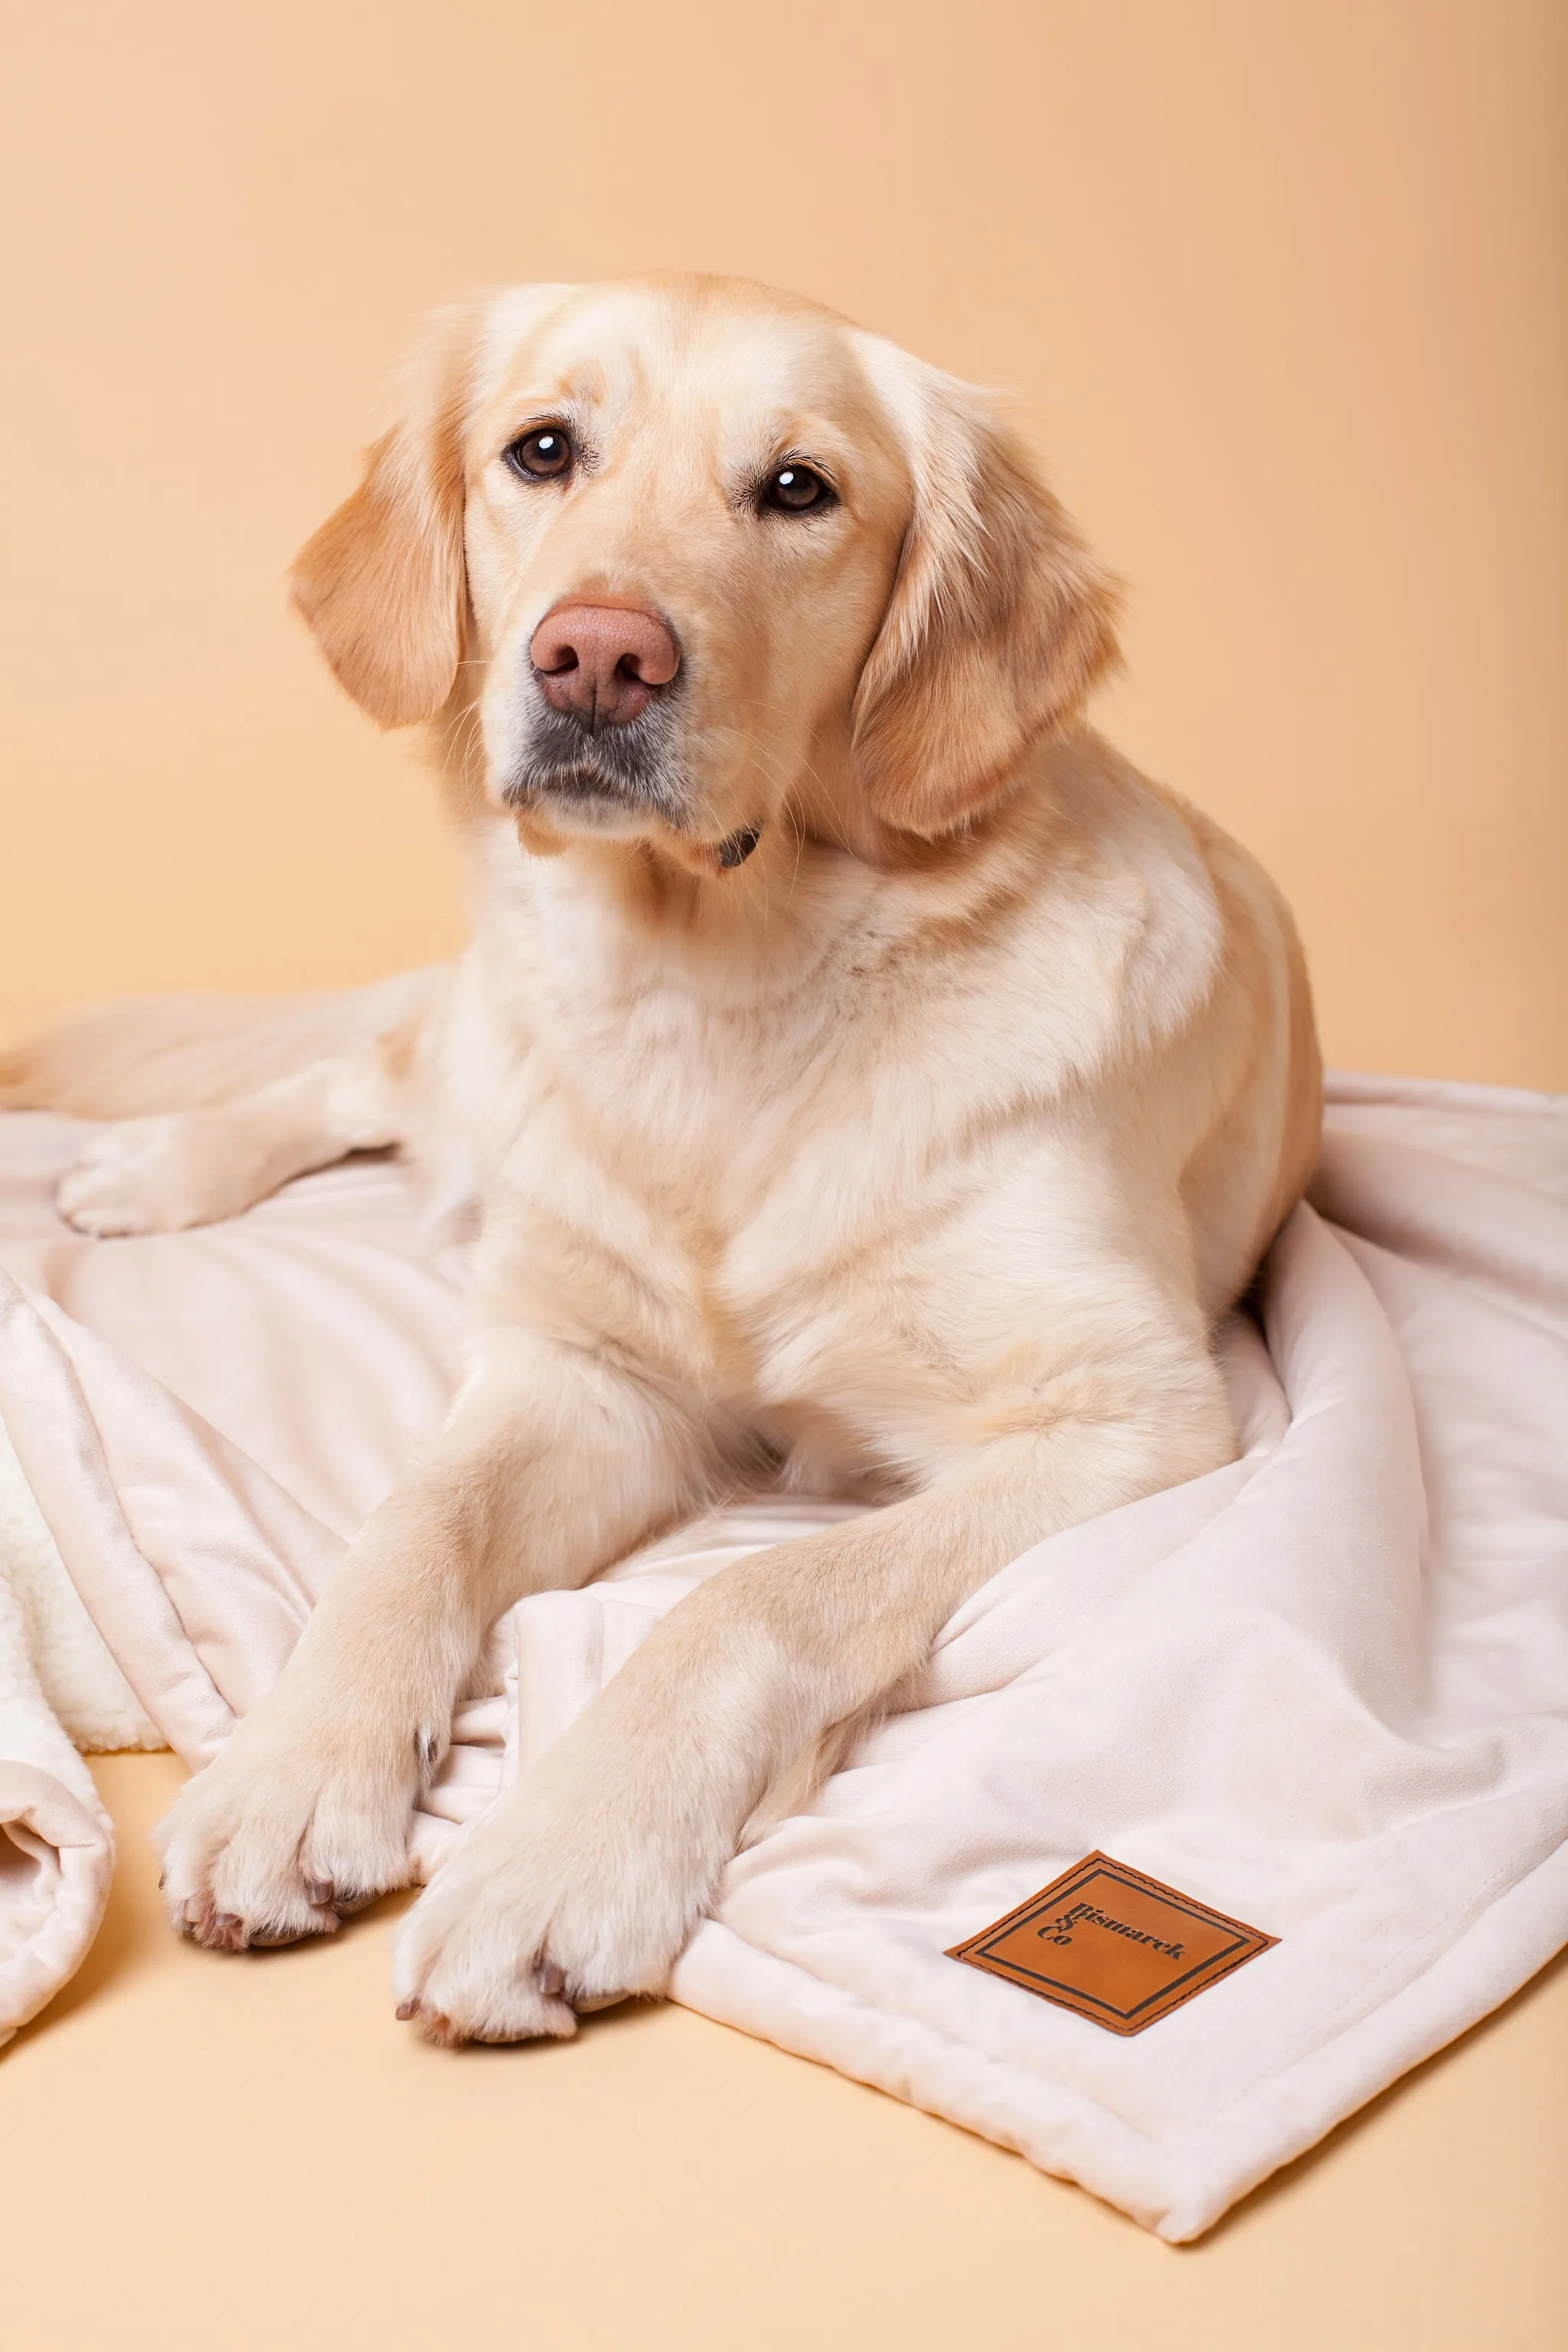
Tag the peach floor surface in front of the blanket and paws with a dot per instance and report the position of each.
(255, 2156)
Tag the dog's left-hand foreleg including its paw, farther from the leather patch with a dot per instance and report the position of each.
(551, 1466)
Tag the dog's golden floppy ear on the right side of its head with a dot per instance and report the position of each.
(998, 624)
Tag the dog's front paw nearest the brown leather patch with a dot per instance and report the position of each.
(547, 1911)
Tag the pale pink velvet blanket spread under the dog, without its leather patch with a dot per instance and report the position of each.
(1325, 1690)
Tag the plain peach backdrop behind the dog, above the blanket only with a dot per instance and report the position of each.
(1278, 286)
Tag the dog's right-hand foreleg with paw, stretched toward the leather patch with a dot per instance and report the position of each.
(591, 1876)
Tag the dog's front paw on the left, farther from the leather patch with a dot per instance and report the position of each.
(288, 1831)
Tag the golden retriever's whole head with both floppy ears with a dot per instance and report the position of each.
(699, 552)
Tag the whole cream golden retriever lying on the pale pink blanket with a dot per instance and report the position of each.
(862, 1076)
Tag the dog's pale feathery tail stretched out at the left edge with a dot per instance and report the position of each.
(114, 1062)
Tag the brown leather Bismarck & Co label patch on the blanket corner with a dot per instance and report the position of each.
(1113, 1944)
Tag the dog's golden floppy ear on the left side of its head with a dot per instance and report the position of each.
(384, 587)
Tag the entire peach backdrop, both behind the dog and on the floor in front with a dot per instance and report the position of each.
(1280, 288)
